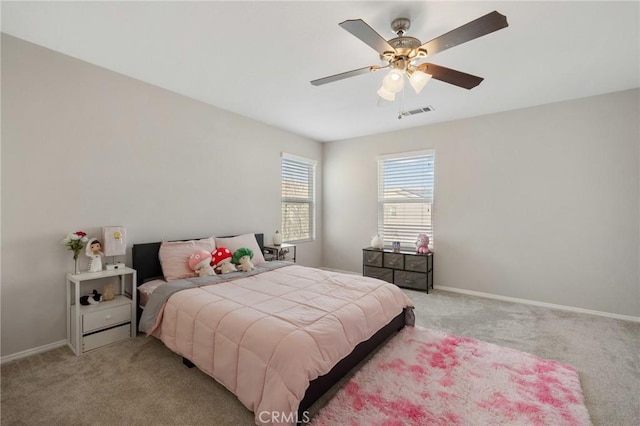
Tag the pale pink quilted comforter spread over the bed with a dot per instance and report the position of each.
(265, 337)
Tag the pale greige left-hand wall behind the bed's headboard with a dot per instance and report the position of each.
(84, 147)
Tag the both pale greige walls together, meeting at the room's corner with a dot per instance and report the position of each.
(541, 203)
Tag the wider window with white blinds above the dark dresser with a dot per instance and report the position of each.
(405, 196)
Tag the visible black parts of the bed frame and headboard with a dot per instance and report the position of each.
(147, 265)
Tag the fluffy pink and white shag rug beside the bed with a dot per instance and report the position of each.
(427, 377)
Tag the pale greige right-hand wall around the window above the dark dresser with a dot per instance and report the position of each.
(540, 203)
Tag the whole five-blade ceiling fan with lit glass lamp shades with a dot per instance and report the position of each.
(402, 54)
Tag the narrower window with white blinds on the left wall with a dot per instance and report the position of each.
(298, 198)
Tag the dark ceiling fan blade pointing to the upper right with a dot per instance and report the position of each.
(482, 26)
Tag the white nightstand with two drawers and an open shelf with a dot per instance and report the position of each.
(92, 326)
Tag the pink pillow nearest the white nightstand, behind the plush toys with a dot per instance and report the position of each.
(174, 257)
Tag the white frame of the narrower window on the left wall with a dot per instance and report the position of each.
(310, 200)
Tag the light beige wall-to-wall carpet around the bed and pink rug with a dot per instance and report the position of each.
(140, 382)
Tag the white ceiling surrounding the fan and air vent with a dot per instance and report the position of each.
(256, 58)
